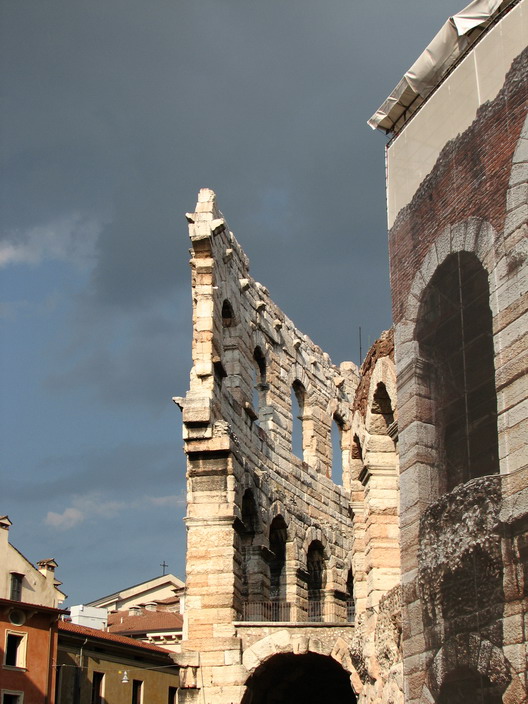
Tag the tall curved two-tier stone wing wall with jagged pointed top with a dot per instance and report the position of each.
(269, 534)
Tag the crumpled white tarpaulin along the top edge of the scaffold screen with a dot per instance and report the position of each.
(427, 71)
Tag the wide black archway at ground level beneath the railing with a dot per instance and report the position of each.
(299, 679)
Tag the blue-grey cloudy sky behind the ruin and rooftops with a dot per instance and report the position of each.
(115, 113)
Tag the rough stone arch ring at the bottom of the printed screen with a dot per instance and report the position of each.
(470, 651)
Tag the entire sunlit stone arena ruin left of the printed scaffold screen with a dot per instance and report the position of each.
(281, 558)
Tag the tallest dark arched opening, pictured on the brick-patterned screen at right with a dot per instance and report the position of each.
(454, 331)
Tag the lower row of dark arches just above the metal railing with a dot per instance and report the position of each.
(273, 587)
